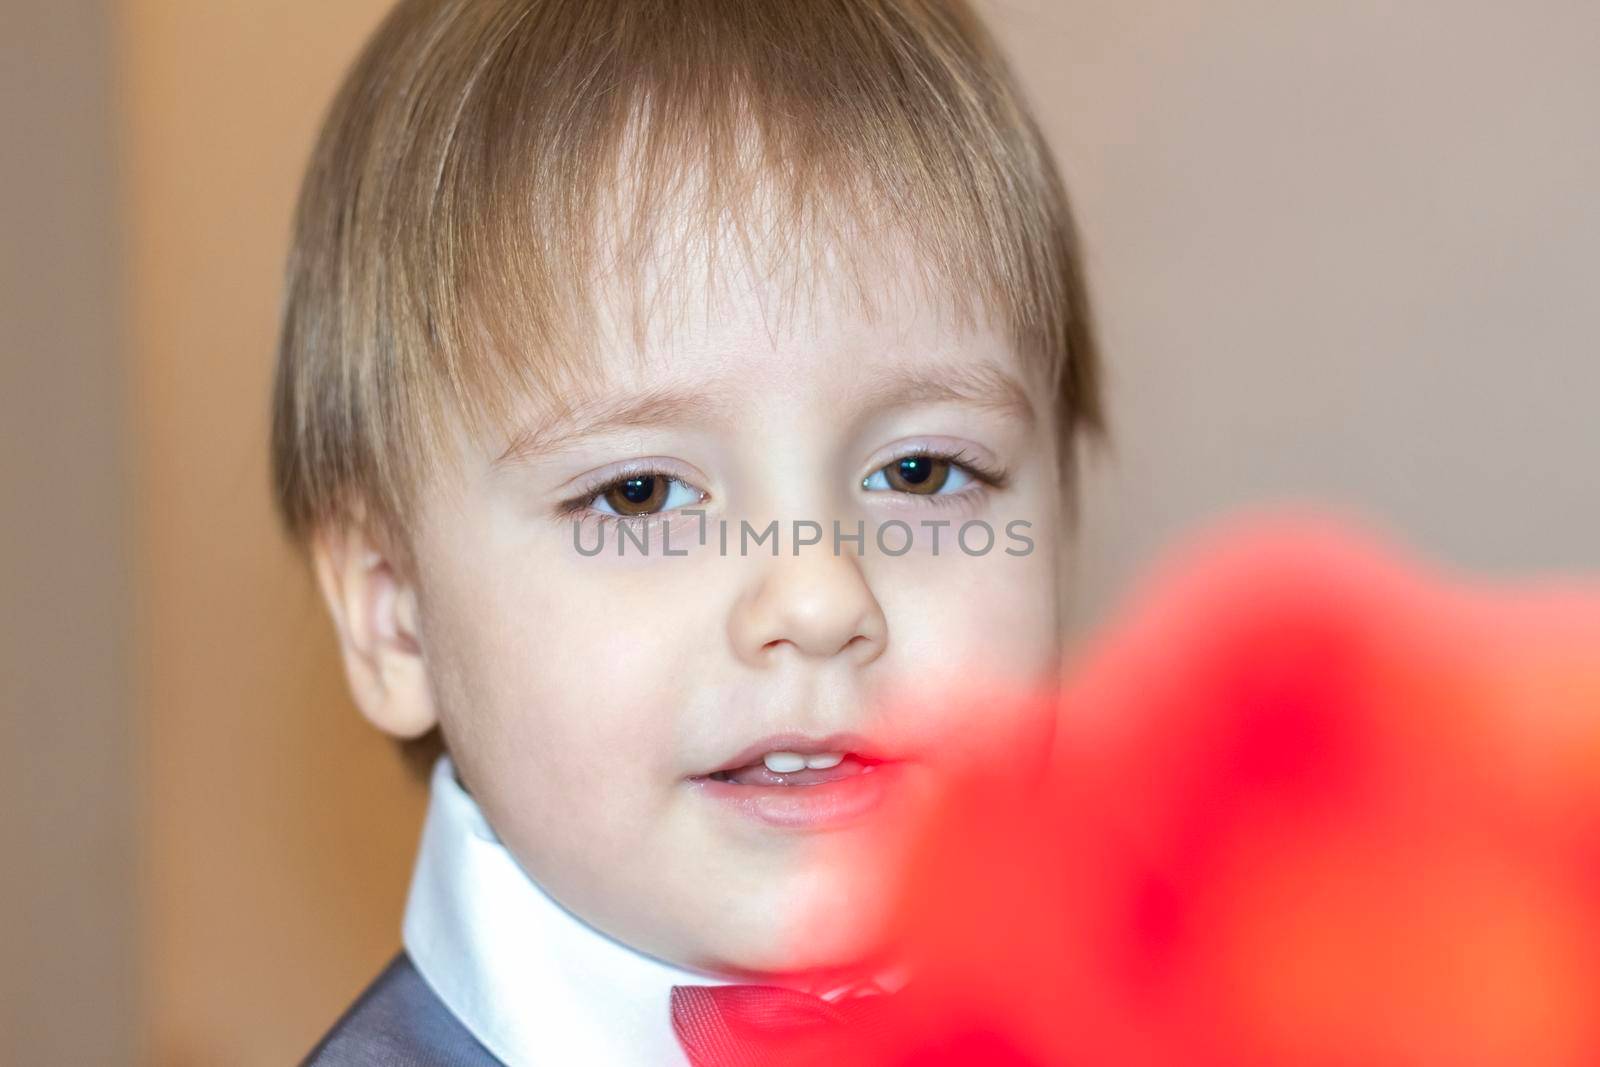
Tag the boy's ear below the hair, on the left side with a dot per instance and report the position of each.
(375, 613)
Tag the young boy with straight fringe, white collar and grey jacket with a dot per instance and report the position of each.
(679, 406)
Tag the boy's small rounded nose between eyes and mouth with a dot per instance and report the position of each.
(815, 604)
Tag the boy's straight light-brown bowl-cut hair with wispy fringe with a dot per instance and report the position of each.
(487, 161)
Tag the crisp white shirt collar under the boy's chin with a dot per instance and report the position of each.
(534, 983)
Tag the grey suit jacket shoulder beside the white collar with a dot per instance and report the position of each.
(399, 1023)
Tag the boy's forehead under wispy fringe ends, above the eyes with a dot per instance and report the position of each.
(746, 338)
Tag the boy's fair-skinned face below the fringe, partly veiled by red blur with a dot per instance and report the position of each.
(594, 705)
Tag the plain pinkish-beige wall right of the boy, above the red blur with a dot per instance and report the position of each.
(1345, 250)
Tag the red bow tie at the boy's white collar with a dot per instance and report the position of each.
(766, 1026)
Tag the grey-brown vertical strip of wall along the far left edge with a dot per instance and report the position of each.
(68, 954)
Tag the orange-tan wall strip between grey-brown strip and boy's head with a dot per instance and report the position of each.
(279, 829)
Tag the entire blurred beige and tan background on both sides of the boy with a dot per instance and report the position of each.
(1342, 249)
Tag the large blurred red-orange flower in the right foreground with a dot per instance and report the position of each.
(1314, 807)
